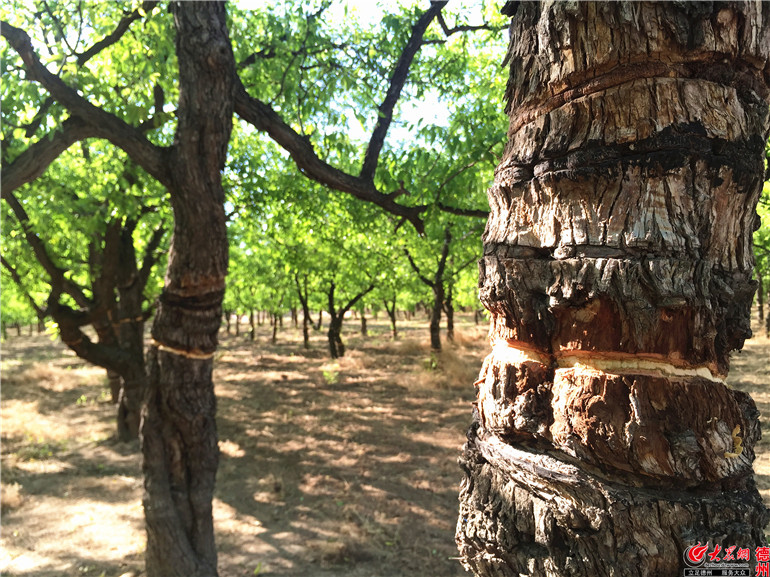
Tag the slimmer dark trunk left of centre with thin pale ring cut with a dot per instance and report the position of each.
(179, 437)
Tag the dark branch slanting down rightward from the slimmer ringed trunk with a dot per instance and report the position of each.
(264, 118)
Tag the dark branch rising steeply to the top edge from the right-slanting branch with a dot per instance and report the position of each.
(397, 81)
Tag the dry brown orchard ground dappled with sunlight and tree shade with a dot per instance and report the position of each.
(327, 468)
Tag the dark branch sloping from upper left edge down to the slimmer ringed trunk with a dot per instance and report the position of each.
(102, 124)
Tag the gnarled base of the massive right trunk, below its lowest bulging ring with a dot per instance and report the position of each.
(525, 512)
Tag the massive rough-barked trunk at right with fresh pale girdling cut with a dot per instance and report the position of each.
(617, 269)
